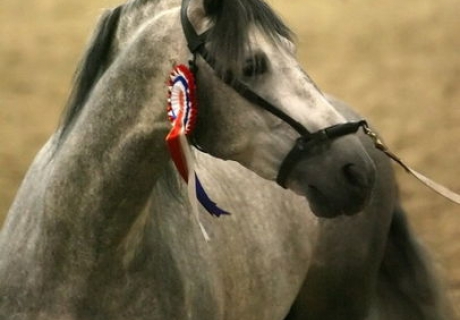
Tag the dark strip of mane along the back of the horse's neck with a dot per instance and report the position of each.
(91, 67)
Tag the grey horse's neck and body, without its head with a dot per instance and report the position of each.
(100, 228)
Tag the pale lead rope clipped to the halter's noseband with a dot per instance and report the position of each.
(442, 190)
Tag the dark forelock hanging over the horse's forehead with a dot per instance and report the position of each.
(229, 37)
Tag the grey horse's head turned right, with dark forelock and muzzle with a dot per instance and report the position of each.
(245, 43)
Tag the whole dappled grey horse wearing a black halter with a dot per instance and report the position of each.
(101, 227)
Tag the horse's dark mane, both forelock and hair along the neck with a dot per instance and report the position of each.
(229, 39)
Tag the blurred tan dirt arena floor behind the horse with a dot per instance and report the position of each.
(397, 62)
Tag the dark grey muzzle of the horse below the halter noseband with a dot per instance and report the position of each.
(337, 176)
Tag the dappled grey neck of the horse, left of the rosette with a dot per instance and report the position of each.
(101, 176)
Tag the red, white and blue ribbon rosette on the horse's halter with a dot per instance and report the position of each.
(182, 112)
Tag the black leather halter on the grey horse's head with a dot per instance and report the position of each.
(196, 44)
